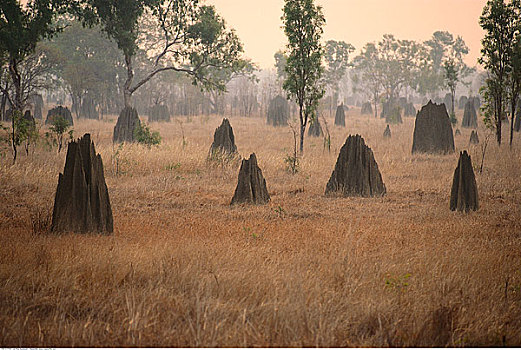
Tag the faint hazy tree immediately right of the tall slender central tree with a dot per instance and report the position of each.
(337, 60)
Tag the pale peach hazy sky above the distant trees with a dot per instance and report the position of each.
(258, 23)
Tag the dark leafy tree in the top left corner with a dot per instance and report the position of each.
(21, 28)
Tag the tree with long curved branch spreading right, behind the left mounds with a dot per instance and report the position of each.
(176, 35)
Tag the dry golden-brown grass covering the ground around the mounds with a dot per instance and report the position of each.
(183, 268)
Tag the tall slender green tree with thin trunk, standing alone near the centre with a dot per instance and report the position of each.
(303, 25)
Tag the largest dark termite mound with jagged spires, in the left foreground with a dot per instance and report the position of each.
(82, 203)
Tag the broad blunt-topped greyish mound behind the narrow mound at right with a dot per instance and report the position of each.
(433, 130)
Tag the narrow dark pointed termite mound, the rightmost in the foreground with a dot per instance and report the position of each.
(464, 192)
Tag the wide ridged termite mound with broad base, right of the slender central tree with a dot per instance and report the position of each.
(356, 172)
